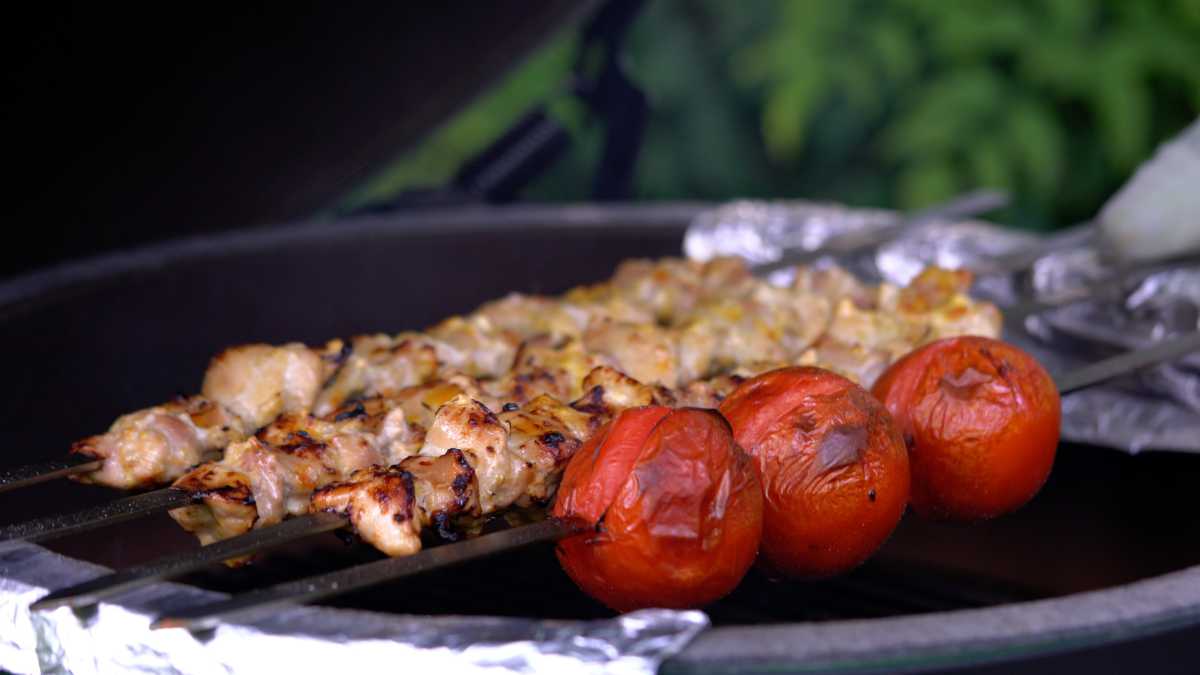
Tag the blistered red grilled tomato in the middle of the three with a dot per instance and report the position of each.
(833, 468)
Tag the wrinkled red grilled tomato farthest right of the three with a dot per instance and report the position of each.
(982, 420)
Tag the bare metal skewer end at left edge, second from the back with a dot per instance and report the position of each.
(111, 513)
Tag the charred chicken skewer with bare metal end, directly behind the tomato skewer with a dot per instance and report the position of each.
(472, 463)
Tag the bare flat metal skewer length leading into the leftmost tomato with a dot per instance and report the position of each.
(363, 576)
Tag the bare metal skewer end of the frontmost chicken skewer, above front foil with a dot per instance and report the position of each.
(95, 590)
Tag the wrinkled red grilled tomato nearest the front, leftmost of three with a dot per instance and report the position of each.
(675, 525)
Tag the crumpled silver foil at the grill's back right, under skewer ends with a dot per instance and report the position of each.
(1156, 409)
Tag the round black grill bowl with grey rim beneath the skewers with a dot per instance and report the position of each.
(1096, 572)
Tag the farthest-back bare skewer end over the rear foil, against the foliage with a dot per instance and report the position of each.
(967, 206)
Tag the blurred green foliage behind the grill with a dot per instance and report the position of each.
(881, 103)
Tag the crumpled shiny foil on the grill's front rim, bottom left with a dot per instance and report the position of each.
(115, 637)
